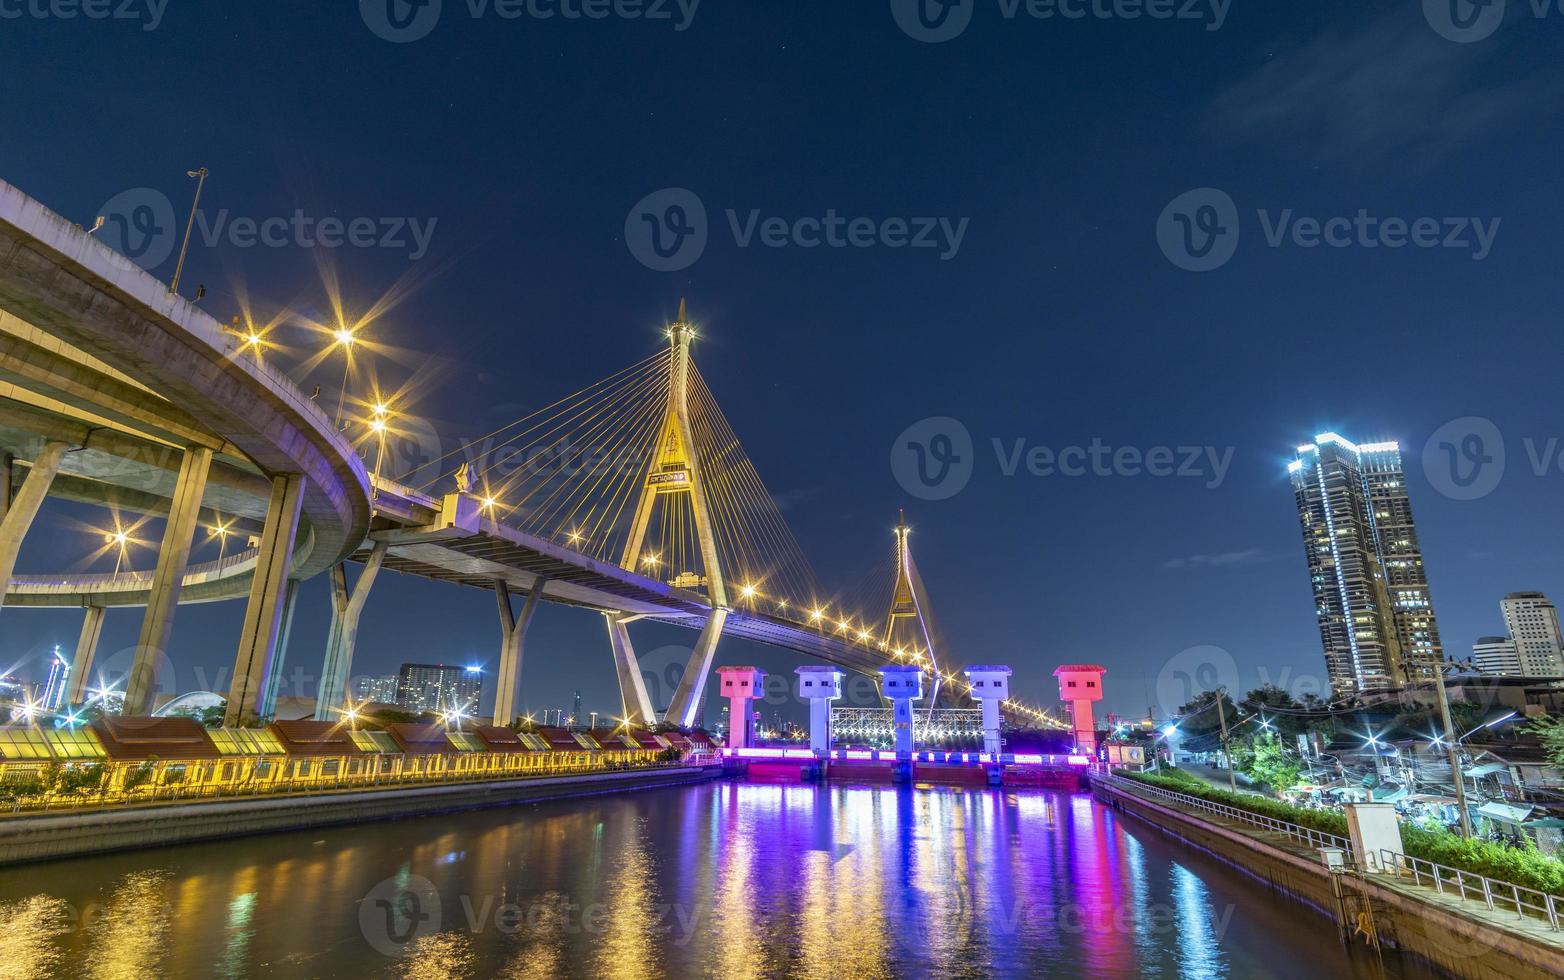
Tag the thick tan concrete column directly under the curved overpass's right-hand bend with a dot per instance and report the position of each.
(264, 617)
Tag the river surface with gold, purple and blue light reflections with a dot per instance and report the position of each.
(725, 879)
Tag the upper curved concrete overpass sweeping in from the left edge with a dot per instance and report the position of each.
(176, 374)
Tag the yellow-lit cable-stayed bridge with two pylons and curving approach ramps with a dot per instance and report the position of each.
(634, 496)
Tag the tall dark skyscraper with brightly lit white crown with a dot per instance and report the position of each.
(1371, 588)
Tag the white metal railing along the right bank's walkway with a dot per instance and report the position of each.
(1498, 896)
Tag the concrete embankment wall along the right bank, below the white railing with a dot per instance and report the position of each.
(1460, 939)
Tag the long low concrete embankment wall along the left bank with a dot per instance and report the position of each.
(66, 835)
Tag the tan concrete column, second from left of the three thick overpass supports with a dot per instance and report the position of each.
(174, 557)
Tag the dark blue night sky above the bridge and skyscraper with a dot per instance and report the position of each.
(1058, 321)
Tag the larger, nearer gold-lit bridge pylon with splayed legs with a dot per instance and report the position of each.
(673, 473)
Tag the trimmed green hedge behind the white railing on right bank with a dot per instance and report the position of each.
(1527, 868)
